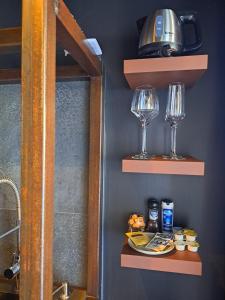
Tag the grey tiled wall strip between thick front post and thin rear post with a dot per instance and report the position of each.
(71, 182)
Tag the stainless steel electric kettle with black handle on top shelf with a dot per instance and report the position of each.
(163, 35)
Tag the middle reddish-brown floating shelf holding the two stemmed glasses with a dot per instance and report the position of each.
(158, 165)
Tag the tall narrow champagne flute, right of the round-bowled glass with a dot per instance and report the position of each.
(175, 112)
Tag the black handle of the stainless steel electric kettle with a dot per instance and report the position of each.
(191, 19)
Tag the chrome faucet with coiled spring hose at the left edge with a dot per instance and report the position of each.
(14, 270)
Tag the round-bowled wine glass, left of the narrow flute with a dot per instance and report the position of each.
(145, 106)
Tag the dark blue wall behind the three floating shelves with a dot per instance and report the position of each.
(199, 201)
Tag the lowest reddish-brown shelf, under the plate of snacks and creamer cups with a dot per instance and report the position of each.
(184, 262)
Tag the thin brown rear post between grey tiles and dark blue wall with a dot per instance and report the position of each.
(94, 186)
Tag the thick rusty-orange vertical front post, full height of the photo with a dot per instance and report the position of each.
(37, 148)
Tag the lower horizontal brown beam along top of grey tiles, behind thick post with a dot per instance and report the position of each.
(63, 73)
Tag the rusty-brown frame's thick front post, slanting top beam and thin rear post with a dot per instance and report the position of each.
(41, 20)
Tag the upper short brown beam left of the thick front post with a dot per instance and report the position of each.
(10, 40)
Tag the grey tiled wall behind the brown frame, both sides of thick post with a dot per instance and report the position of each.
(71, 176)
